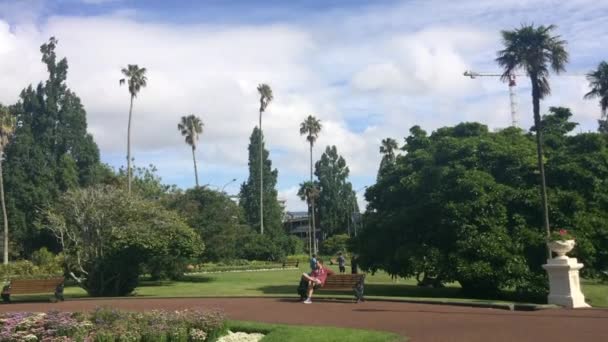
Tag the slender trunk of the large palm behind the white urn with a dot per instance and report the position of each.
(539, 152)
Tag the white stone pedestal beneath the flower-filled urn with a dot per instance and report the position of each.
(564, 282)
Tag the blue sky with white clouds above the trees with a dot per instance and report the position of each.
(367, 69)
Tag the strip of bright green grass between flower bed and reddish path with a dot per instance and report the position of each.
(282, 332)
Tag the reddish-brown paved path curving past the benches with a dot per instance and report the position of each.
(421, 322)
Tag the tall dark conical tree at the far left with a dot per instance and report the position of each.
(50, 152)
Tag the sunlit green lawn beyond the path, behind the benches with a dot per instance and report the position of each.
(283, 283)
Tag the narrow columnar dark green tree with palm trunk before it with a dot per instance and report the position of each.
(249, 194)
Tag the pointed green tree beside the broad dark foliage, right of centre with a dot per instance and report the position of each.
(336, 195)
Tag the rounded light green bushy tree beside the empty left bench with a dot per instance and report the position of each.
(107, 236)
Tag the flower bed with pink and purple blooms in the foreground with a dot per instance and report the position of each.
(105, 325)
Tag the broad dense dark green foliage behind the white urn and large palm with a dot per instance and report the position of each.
(462, 206)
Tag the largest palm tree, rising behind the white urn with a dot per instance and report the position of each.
(536, 51)
